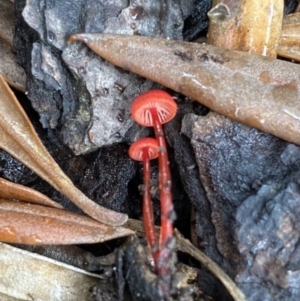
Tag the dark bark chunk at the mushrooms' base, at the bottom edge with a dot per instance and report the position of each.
(144, 285)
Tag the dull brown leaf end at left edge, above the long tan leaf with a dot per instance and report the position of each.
(9, 69)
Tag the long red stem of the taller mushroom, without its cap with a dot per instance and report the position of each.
(166, 201)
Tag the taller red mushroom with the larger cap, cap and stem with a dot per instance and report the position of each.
(155, 108)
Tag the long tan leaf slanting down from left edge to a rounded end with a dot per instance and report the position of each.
(18, 138)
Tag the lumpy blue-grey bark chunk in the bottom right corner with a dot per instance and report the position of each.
(268, 236)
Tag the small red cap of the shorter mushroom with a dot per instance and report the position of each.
(144, 144)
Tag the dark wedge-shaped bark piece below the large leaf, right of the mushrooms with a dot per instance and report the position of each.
(230, 172)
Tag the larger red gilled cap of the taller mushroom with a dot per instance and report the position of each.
(160, 100)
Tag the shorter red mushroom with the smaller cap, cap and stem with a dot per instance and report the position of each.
(145, 150)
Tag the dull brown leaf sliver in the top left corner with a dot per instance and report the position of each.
(7, 24)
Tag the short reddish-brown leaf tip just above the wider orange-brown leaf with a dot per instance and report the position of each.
(10, 190)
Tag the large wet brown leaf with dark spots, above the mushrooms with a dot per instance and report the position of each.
(258, 91)
